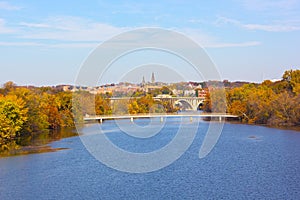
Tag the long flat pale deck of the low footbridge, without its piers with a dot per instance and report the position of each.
(103, 117)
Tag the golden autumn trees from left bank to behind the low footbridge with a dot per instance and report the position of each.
(29, 111)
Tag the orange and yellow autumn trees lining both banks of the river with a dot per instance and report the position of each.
(28, 112)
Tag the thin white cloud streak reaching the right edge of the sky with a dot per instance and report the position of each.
(278, 27)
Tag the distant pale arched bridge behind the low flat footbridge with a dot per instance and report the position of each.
(187, 103)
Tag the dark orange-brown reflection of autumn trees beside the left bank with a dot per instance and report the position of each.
(35, 143)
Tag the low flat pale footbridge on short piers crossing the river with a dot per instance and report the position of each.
(219, 116)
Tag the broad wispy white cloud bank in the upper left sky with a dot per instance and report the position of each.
(60, 32)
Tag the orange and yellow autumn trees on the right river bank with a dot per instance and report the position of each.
(271, 103)
